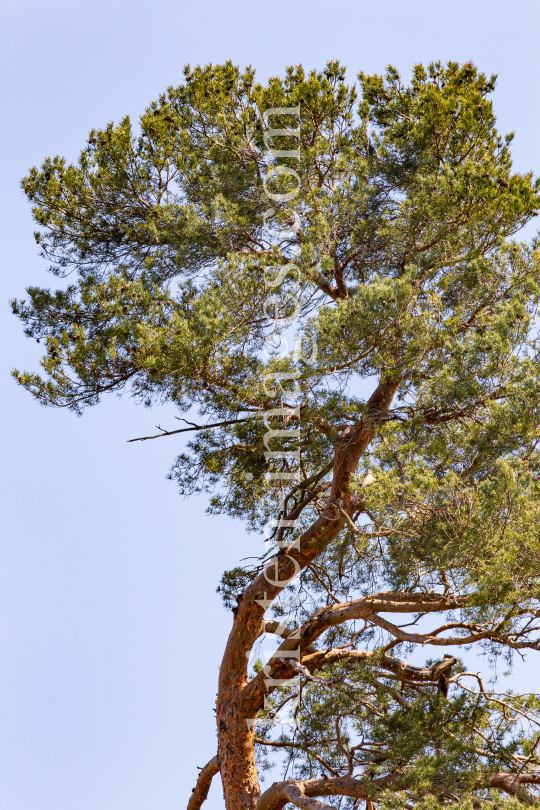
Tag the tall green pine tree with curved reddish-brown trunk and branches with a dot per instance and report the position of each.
(388, 452)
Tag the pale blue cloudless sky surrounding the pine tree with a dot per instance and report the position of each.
(110, 628)
